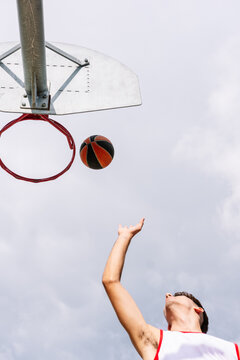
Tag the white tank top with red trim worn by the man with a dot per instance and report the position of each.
(194, 346)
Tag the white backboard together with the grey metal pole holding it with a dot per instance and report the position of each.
(103, 83)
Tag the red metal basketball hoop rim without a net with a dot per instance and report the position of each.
(59, 127)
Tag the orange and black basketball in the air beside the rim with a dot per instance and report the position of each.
(96, 152)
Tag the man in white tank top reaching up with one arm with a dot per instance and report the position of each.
(186, 318)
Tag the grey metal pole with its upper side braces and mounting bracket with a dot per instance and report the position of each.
(30, 15)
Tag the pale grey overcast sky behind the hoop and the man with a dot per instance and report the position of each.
(177, 162)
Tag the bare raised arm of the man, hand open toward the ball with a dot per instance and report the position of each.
(143, 336)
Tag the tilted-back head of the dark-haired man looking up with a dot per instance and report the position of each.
(185, 306)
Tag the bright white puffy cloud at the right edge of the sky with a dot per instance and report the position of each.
(214, 146)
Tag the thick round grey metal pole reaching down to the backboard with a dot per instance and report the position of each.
(30, 14)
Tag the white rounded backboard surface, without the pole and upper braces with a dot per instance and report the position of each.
(103, 84)
